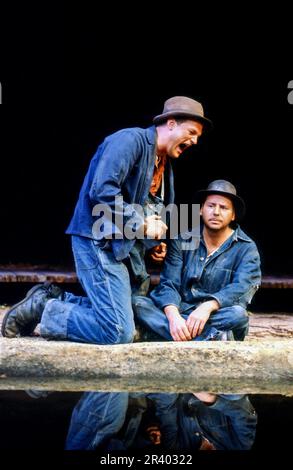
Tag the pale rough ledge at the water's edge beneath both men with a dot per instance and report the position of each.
(219, 367)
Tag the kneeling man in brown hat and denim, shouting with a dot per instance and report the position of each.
(130, 167)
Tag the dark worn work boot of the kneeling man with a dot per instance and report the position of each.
(24, 316)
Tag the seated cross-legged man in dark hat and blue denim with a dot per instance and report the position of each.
(204, 291)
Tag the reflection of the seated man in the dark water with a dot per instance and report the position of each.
(206, 421)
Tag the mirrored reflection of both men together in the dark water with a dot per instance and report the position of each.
(170, 422)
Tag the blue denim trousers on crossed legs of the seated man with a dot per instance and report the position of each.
(229, 318)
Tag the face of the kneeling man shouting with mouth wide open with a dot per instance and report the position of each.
(182, 135)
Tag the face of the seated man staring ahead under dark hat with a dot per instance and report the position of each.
(217, 212)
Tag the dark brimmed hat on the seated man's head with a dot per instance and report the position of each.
(224, 188)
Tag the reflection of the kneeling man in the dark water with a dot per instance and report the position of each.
(113, 421)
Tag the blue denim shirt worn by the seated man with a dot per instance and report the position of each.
(231, 275)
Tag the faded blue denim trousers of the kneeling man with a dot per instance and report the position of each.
(105, 315)
